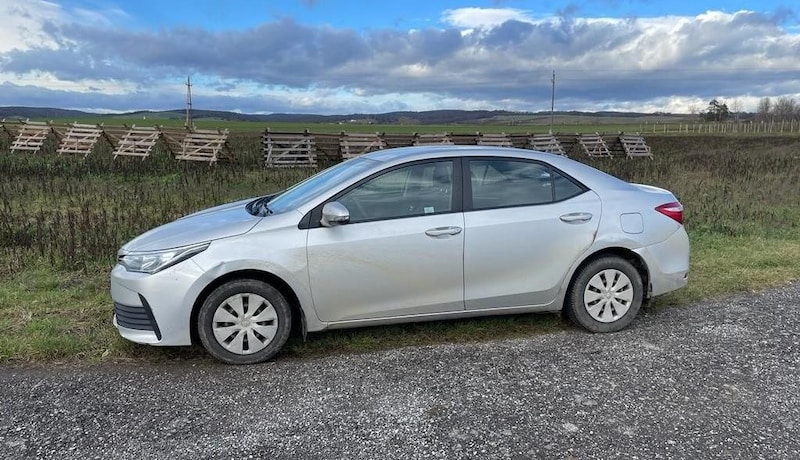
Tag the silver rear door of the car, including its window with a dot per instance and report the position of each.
(525, 224)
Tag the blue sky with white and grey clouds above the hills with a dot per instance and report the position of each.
(345, 57)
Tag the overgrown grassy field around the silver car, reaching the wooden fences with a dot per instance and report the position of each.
(63, 218)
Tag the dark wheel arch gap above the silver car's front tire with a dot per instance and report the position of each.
(299, 322)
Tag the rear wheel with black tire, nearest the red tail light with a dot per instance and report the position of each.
(605, 295)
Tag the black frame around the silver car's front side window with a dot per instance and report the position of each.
(313, 217)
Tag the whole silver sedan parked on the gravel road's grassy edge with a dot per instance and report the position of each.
(399, 235)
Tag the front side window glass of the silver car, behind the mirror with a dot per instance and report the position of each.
(414, 190)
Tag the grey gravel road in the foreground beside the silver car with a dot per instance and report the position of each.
(713, 380)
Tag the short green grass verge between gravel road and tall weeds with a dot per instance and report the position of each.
(47, 315)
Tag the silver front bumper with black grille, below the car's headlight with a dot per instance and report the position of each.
(156, 309)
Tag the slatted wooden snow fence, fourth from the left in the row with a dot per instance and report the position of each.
(209, 145)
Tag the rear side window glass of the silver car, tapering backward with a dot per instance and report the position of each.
(500, 183)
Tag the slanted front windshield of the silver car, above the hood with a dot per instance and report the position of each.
(319, 184)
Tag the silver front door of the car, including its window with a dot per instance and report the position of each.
(400, 254)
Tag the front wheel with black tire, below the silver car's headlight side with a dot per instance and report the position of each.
(227, 328)
